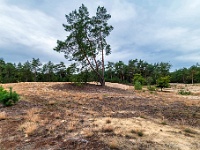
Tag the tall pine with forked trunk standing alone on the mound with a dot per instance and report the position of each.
(86, 42)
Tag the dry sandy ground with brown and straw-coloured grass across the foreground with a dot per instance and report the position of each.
(65, 116)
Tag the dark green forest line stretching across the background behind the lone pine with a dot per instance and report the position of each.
(119, 72)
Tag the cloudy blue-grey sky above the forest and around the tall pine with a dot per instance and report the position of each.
(151, 30)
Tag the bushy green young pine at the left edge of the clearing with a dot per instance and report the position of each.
(8, 98)
